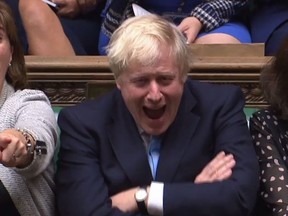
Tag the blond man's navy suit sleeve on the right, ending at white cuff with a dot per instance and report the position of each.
(235, 196)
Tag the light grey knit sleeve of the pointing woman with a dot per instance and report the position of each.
(36, 116)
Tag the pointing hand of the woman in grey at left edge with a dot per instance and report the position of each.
(13, 152)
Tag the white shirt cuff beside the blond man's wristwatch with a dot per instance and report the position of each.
(155, 198)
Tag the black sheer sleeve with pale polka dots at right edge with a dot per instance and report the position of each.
(274, 174)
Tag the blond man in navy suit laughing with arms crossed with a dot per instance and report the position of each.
(159, 142)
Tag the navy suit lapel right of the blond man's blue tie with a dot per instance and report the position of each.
(177, 138)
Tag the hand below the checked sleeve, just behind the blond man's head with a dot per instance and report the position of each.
(190, 27)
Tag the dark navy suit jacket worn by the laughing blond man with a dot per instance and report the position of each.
(102, 154)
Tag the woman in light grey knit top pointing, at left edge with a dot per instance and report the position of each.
(28, 133)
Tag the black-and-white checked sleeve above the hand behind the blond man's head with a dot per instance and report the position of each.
(215, 13)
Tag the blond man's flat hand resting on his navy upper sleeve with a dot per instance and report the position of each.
(219, 169)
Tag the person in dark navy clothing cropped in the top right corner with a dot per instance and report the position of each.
(269, 23)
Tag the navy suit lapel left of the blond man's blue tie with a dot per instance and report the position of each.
(128, 145)
